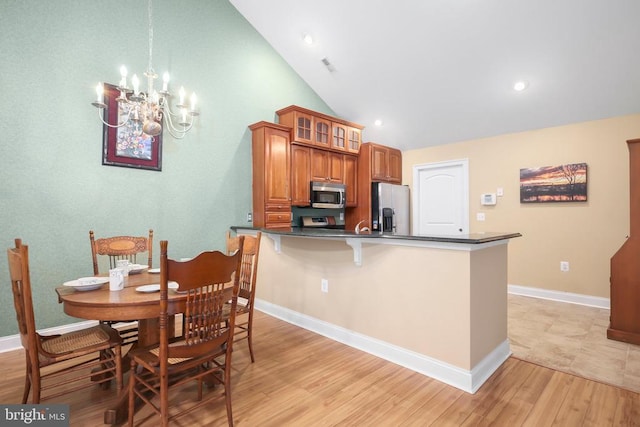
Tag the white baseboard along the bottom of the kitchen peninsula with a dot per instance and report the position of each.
(468, 381)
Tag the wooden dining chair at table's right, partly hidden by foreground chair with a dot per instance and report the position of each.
(247, 292)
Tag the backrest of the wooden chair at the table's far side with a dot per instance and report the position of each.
(120, 247)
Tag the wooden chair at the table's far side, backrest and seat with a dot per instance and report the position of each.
(117, 248)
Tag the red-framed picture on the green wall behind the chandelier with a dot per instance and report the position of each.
(127, 146)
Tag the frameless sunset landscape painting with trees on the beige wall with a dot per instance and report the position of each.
(565, 183)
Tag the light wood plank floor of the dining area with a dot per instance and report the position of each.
(304, 379)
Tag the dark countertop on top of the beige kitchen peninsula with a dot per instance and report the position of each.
(472, 238)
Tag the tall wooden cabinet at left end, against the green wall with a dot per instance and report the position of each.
(271, 161)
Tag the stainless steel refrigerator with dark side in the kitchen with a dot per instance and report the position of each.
(390, 208)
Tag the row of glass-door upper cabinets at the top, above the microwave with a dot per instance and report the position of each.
(320, 130)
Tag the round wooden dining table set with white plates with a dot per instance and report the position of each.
(127, 304)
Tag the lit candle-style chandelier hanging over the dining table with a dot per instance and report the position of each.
(148, 112)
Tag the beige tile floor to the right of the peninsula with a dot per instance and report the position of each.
(571, 338)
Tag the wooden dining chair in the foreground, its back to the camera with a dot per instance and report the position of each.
(203, 351)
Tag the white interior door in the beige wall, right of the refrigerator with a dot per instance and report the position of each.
(441, 198)
